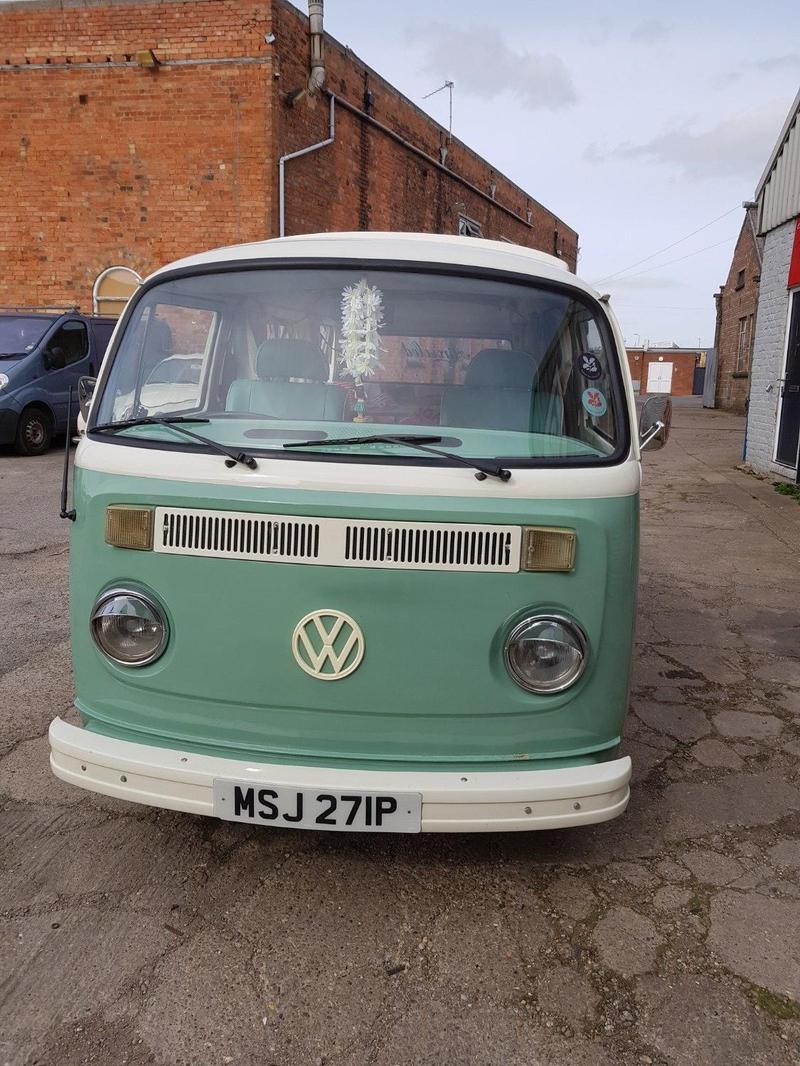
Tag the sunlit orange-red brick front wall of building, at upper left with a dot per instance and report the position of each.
(106, 163)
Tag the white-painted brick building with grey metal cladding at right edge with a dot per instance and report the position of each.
(774, 413)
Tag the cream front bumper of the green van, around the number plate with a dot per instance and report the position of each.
(452, 802)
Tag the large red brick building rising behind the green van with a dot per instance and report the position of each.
(133, 134)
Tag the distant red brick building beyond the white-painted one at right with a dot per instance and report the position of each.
(737, 302)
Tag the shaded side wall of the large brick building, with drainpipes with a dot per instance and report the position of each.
(365, 181)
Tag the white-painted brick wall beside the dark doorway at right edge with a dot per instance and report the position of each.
(770, 347)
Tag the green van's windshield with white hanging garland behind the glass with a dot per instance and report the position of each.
(518, 370)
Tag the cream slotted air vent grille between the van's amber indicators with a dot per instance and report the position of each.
(338, 542)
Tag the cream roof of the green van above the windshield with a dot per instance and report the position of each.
(417, 248)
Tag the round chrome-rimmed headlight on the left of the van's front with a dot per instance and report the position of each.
(130, 628)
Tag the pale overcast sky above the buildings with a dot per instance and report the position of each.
(636, 123)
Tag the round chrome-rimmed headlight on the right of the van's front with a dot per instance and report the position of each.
(547, 654)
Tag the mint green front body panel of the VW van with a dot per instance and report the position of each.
(433, 691)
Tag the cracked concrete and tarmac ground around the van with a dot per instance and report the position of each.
(671, 936)
